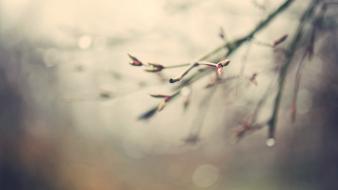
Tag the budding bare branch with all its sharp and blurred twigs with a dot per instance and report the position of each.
(213, 62)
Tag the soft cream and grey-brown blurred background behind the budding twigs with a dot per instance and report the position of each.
(69, 100)
